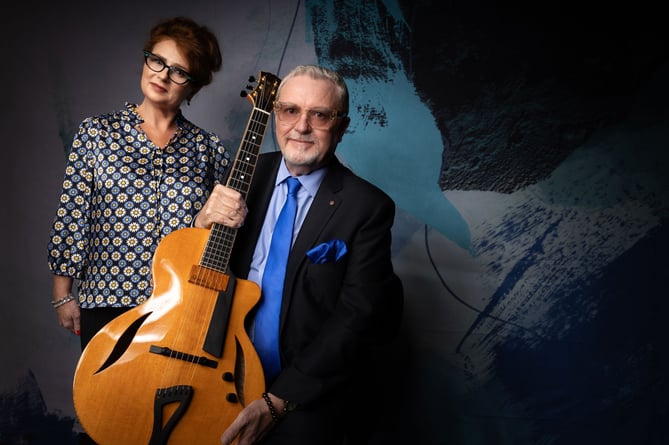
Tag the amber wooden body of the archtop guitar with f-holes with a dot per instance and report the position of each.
(128, 389)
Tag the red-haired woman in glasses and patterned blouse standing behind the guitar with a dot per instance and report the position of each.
(132, 177)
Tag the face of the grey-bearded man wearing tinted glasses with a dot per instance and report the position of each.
(305, 131)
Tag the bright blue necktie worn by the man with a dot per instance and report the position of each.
(266, 336)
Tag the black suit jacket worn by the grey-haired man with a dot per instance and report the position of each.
(334, 316)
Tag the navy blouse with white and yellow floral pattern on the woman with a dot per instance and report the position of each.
(121, 195)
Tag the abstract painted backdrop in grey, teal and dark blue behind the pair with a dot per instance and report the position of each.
(526, 147)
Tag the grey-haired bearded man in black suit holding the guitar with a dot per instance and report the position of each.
(341, 301)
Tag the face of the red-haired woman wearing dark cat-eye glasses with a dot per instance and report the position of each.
(157, 87)
